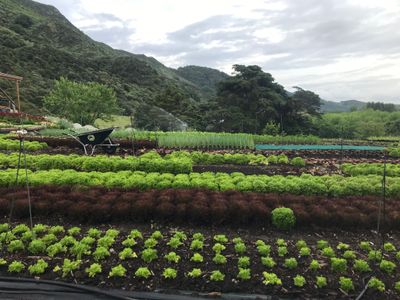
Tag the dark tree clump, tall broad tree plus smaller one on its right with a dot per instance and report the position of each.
(251, 98)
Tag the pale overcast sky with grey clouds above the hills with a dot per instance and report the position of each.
(340, 49)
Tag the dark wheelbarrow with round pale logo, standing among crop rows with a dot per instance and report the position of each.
(98, 138)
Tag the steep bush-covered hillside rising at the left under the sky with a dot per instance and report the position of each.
(40, 44)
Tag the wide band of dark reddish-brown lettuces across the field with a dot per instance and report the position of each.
(196, 206)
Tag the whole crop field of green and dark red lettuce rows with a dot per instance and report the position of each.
(205, 213)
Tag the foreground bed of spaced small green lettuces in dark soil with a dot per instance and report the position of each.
(261, 251)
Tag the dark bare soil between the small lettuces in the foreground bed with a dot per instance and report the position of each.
(230, 269)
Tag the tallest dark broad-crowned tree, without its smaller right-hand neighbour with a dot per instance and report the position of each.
(248, 100)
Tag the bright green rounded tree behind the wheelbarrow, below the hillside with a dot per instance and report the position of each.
(81, 102)
